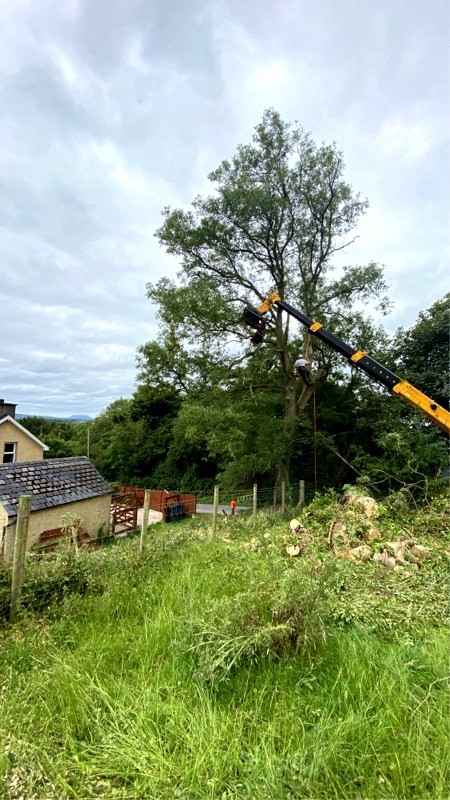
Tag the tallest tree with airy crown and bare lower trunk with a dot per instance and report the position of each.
(279, 212)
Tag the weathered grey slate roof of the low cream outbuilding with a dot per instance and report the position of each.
(52, 482)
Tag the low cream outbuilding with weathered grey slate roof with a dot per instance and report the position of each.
(56, 486)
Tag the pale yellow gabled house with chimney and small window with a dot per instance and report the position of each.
(16, 443)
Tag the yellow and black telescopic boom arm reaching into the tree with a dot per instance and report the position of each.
(357, 358)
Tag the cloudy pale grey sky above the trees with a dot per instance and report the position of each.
(114, 109)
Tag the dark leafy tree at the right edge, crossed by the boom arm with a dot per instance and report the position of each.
(393, 445)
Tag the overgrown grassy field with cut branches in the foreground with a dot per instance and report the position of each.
(224, 668)
